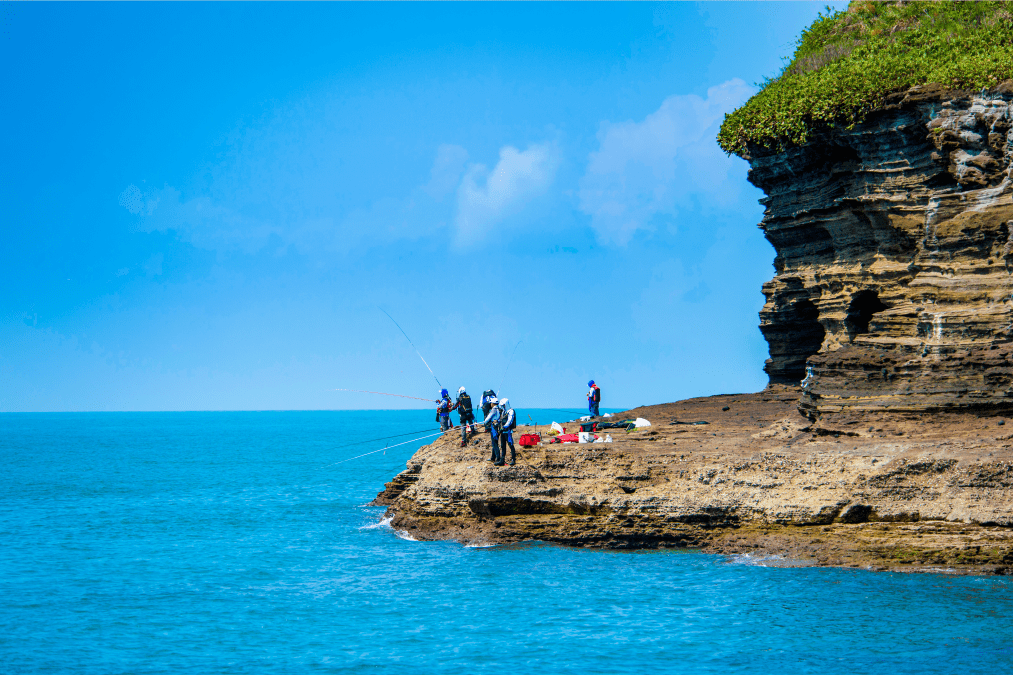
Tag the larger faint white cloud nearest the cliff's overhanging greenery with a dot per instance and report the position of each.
(650, 169)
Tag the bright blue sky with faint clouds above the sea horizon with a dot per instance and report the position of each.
(205, 205)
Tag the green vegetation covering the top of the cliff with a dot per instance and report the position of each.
(847, 63)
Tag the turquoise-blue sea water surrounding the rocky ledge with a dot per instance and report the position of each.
(235, 543)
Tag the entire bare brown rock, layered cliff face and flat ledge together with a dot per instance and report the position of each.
(893, 298)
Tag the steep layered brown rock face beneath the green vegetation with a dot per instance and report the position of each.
(893, 286)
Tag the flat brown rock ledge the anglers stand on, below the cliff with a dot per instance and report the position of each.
(889, 491)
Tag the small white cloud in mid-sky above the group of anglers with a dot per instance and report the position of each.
(486, 199)
